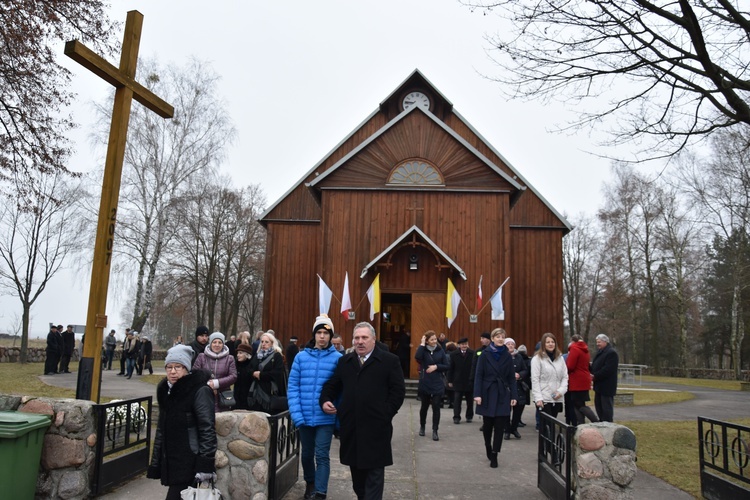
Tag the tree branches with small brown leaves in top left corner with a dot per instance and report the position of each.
(34, 88)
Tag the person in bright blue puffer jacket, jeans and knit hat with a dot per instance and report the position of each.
(312, 368)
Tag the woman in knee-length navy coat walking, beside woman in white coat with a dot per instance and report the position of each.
(495, 392)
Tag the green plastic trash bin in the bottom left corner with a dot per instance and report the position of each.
(21, 439)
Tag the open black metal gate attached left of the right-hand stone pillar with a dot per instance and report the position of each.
(554, 458)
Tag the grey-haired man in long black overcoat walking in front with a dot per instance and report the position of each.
(370, 384)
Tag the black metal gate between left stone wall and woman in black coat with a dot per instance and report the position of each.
(123, 444)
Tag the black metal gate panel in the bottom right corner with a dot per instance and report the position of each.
(724, 456)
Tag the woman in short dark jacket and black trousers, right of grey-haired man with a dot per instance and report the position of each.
(433, 364)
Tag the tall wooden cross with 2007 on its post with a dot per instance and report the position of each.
(123, 79)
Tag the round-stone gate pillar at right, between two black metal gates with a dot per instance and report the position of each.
(604, 456)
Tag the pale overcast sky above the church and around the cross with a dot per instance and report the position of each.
(298, 76)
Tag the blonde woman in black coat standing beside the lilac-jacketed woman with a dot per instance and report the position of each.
(267, 366)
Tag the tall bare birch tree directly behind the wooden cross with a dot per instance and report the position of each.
(163, 160)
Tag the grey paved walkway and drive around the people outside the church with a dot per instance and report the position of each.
(455, 467)
